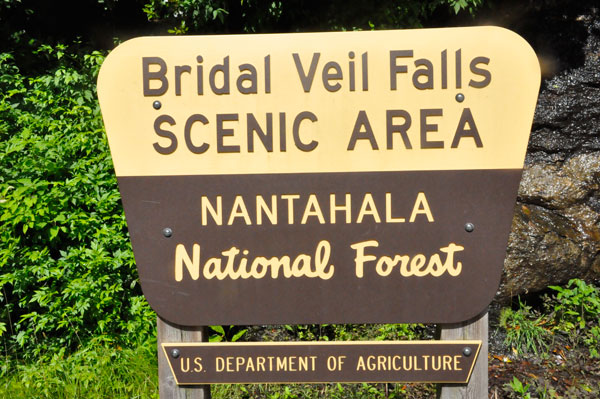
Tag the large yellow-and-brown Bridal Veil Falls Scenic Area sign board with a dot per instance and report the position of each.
(320, 177)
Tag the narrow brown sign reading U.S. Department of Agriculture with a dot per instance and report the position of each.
(319, 362)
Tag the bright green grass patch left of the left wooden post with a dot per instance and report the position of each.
(90, 373)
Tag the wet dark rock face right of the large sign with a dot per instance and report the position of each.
(556, 227)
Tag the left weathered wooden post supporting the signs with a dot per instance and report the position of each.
(167, 388)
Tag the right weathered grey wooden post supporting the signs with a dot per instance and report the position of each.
(477, 388)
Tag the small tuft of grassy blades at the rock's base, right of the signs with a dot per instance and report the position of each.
(526, 331)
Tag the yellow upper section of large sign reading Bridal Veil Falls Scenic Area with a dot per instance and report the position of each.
(409, 100)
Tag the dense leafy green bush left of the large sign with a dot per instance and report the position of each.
(67, 273)
